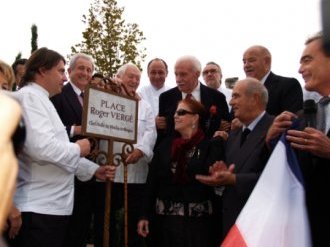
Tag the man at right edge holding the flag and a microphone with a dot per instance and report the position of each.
(313, 144)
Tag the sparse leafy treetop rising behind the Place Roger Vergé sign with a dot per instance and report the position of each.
(108, 39)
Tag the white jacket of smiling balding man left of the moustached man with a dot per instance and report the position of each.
(151, 95)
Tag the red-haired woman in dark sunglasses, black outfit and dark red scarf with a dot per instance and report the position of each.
(180, 205)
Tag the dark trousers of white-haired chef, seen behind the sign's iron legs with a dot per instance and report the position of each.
(117, 215)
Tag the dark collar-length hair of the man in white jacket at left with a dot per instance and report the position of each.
(42, 58)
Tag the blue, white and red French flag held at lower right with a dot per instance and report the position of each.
(275, 213)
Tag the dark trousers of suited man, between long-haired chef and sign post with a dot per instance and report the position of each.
(80, 220)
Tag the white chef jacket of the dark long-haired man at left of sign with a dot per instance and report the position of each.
(48, 161)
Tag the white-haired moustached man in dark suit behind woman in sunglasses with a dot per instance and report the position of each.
(187, 71)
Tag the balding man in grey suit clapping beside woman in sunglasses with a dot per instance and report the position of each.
(246, 153)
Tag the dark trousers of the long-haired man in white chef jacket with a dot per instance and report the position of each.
(41, 230)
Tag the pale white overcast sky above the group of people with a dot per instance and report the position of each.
(211, 30)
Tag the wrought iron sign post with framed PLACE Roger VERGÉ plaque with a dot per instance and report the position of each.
(110, 115)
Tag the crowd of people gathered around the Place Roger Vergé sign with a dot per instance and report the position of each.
(200, 149)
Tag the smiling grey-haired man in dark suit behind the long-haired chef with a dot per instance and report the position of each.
(69, 105)
